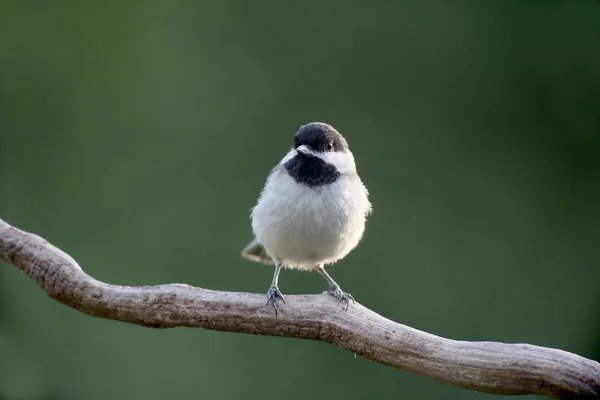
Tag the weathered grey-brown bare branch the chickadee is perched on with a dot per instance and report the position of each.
(483, 366)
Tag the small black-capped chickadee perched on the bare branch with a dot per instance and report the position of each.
(312, 210)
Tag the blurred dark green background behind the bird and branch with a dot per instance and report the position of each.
(136, 136)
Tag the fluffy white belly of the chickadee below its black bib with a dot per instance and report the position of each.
(305, 226)
